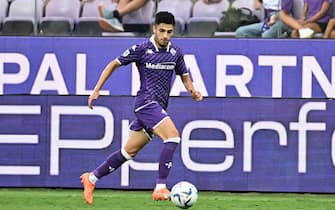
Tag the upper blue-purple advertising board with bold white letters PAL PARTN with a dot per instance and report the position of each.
(219, 67)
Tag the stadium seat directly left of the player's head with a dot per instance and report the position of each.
(140, 21)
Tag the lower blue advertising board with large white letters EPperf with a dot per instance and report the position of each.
(228, 144)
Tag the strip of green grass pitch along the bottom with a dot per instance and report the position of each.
(71, 199)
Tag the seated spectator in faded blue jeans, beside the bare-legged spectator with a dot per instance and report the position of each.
(269, 28)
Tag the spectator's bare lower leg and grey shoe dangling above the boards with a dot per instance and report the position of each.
(111, 20)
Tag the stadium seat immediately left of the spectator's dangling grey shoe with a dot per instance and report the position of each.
(88, 23)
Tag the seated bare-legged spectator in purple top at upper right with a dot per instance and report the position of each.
(314, 18)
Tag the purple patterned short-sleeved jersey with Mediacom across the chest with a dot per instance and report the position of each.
(156, 68)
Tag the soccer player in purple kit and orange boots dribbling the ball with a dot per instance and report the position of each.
(157, 60)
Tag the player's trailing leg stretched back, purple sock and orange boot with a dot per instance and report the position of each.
(136, 141)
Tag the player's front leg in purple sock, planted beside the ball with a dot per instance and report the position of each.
(167, 131)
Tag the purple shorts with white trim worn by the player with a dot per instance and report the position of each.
(148, 117)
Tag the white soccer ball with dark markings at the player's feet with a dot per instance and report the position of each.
(184, 194)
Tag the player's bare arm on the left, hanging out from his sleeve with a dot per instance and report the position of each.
(109, 69)
